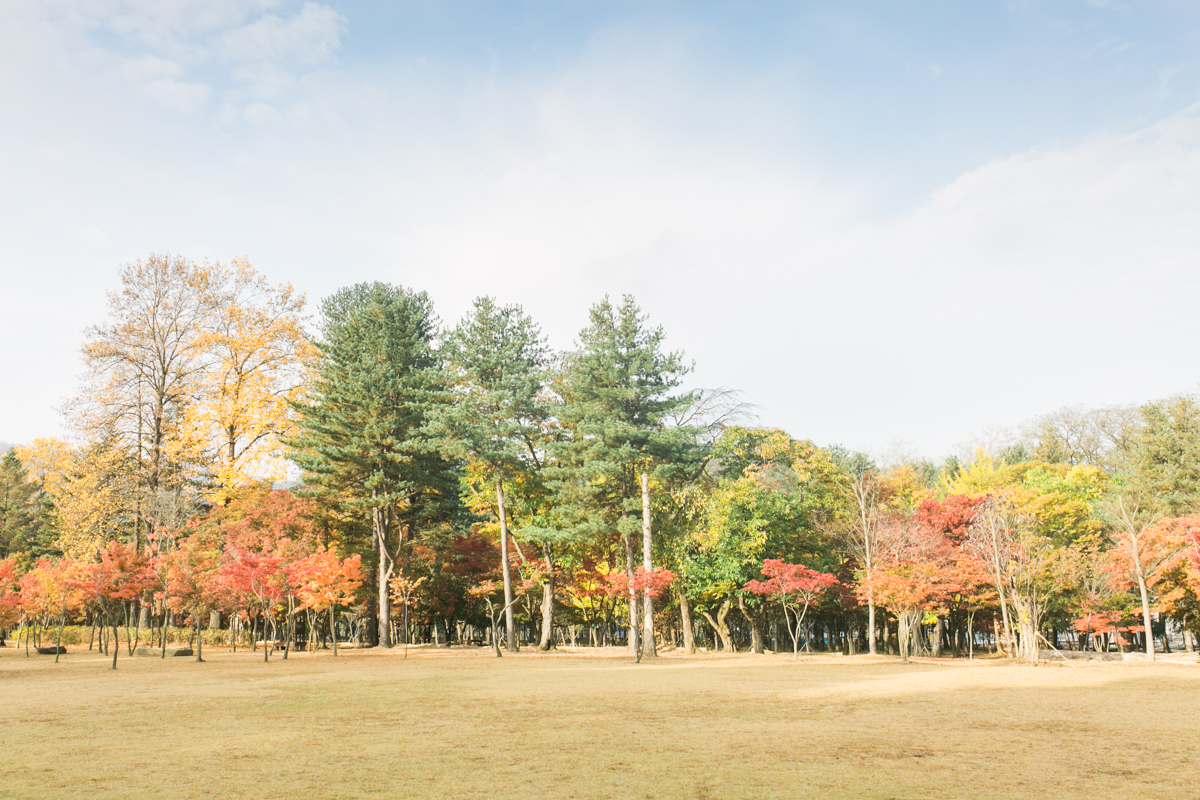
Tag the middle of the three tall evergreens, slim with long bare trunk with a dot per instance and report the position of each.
(499, 418)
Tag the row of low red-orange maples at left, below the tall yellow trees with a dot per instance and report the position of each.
(259, 561)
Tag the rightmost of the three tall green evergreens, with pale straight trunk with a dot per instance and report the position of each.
(620, 396)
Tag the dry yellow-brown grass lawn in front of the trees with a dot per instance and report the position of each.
(459, 724)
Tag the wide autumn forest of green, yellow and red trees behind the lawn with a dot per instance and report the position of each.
(243, 471)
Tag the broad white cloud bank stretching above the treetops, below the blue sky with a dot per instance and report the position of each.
(1055, 276)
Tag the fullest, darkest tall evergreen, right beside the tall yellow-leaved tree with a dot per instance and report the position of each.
(363, 441)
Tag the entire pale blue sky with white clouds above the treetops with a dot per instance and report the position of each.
(890, 226)
